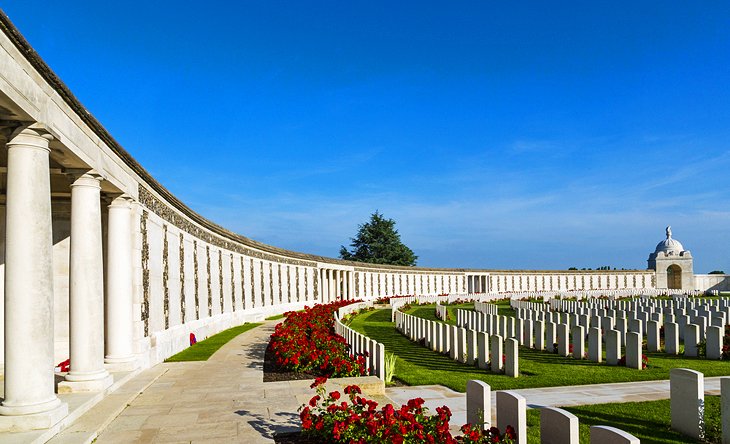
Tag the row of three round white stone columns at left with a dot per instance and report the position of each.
(29, 331)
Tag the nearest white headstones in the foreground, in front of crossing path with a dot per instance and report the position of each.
(687, 401)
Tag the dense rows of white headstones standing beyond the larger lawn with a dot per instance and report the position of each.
(481, 334)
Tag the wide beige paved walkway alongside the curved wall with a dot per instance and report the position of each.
(222, 399)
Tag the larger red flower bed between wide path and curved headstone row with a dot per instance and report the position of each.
(306, 342)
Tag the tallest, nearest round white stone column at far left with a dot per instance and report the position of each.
(29, 378)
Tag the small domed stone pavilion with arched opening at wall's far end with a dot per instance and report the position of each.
(672, 263)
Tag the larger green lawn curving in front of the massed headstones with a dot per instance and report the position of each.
(417, 365)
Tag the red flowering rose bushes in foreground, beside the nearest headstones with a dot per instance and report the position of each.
(329, 418)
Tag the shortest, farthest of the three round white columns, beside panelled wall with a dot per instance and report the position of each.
(119, 313)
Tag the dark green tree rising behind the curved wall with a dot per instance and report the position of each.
(378, 242)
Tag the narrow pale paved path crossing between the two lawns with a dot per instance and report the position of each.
(566, 396)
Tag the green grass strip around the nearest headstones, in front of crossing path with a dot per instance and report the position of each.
(649, 421)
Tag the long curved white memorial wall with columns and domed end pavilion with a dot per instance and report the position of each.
(105, 267)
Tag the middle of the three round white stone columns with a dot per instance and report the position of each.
(86, 289)
